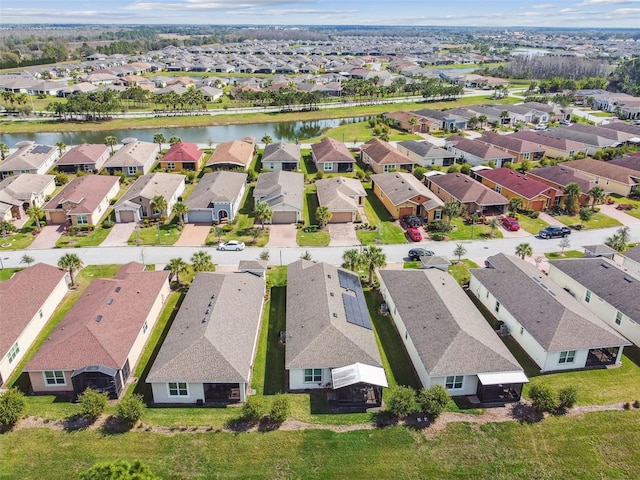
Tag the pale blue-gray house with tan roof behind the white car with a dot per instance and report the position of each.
(217, 197)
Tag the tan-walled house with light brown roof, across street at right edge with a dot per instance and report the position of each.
(611, 177)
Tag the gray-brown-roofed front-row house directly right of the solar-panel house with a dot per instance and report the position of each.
(447, 338)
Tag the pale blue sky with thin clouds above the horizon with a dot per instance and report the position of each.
(487, 13)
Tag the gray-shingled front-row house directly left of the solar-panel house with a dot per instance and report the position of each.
(207, 356)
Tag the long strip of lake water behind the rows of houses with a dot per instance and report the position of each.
(278, 131)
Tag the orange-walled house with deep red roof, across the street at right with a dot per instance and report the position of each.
(511, 183)
